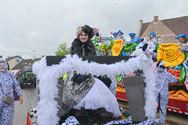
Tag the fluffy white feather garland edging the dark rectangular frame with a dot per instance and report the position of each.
(48, 79)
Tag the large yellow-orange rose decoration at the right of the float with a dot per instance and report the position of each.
(171, 54)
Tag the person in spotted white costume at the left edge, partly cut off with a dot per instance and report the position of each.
(8, 83)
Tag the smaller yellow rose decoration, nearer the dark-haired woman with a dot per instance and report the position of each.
(117, 47)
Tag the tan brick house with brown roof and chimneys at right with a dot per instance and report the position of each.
(166, 29)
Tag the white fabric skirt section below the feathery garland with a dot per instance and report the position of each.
(100, 96)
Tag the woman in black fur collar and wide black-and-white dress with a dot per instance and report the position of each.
(86, 92)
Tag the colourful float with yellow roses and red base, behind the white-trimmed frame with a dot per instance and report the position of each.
(174, 58)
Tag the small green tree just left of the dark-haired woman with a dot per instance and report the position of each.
(62, 50)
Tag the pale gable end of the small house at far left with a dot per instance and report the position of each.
(13, 61)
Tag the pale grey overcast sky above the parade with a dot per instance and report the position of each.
(31, 28)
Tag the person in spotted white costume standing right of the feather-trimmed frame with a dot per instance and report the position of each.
(163, 78)
